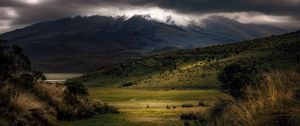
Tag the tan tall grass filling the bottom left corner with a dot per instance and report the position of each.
(25, 108)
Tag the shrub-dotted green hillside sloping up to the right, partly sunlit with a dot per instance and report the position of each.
(198, 68)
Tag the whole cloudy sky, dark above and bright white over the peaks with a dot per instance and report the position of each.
(280, 13)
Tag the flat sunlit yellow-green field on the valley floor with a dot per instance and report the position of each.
(133, 106)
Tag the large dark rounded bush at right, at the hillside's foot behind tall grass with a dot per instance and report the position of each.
(237, 76)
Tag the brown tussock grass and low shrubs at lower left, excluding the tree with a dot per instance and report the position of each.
(46, 103)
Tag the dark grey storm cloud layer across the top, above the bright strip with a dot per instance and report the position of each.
(31, 11)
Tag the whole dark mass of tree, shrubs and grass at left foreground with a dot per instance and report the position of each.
(26, 100)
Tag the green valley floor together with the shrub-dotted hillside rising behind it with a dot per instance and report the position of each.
(146, 90)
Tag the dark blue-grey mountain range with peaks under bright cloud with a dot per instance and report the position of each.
(84, 43)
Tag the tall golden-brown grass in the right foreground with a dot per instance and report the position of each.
(275, 92)
